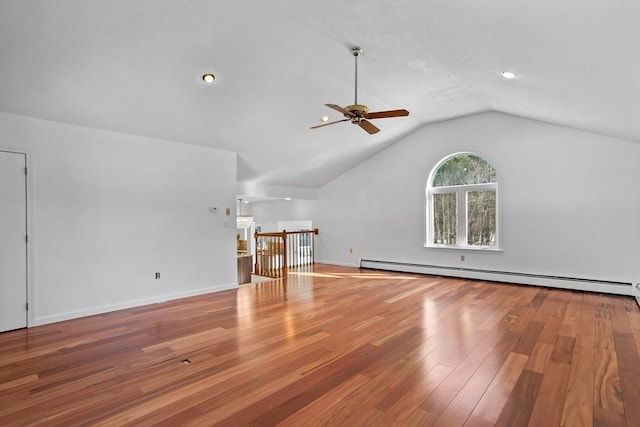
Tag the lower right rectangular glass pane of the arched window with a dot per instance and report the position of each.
(481, 218)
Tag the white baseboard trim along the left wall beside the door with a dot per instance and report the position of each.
(43, 320)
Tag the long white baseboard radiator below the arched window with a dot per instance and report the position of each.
(604, 286)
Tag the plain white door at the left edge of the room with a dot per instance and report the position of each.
(13, 243)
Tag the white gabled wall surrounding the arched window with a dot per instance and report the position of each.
(570, 200)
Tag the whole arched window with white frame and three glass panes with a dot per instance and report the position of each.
(462, 203)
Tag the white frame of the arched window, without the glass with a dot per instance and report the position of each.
(461, 197)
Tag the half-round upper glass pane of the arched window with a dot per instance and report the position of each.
(464, 169)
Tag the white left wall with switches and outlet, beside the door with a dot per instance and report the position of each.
(108, 210)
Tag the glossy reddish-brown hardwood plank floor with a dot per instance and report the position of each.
(336, 346)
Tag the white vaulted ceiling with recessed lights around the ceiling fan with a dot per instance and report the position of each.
(135, 67)
